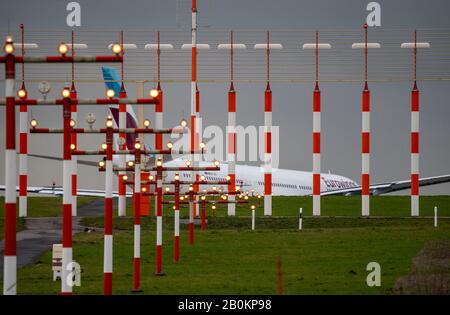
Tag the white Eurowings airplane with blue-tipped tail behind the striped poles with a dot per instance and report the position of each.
(249, 178)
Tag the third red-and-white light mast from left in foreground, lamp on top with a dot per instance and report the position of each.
(108, 237)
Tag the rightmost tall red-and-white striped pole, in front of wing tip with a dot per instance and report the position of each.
(415, 98)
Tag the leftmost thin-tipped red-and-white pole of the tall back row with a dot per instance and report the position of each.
(23, 144)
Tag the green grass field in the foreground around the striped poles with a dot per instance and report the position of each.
(329, 256)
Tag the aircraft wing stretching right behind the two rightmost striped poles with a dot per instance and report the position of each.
(380, 189)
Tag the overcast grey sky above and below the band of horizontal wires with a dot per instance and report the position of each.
(292, 102)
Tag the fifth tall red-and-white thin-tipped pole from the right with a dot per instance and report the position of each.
(232, 134)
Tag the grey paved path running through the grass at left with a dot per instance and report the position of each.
(41, 233)
